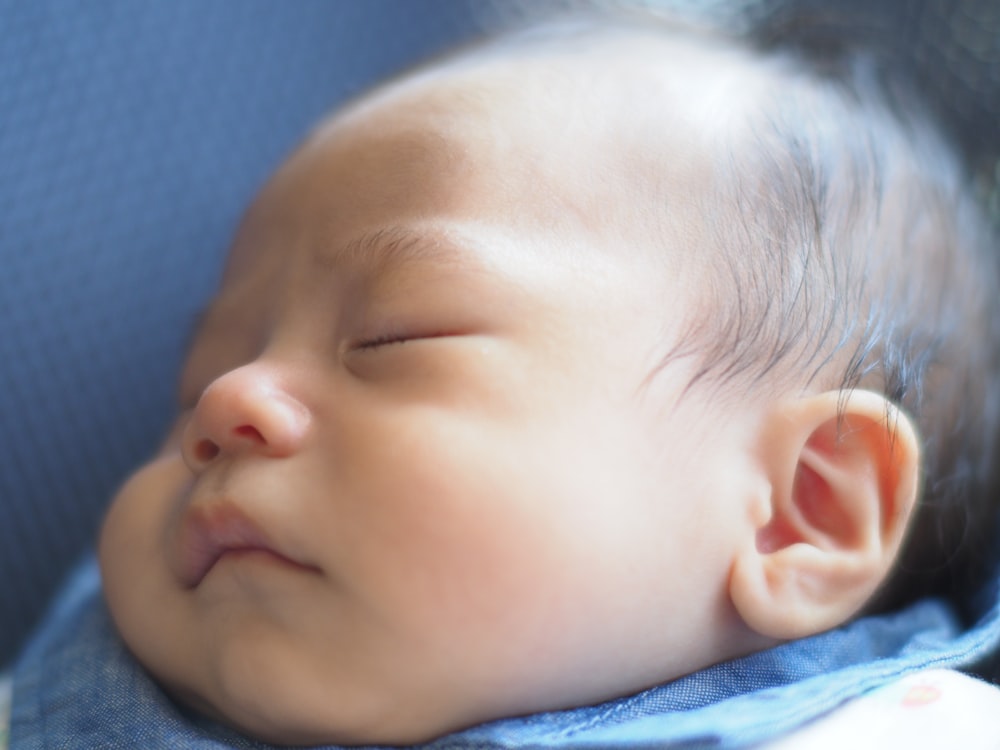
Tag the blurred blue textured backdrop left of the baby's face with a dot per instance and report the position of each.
(132, 135)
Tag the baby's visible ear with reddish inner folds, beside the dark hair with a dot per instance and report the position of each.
(843, 468)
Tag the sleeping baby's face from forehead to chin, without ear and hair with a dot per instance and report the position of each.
(422, 477)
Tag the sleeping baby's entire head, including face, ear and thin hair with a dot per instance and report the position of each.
(548, 373)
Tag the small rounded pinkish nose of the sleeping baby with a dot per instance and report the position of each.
(246, 410)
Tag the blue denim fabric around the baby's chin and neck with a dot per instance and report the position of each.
(77, 686)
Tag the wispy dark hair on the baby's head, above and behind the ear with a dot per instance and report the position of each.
(849, 244)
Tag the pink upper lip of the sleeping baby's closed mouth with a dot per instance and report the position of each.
(209, 532)
